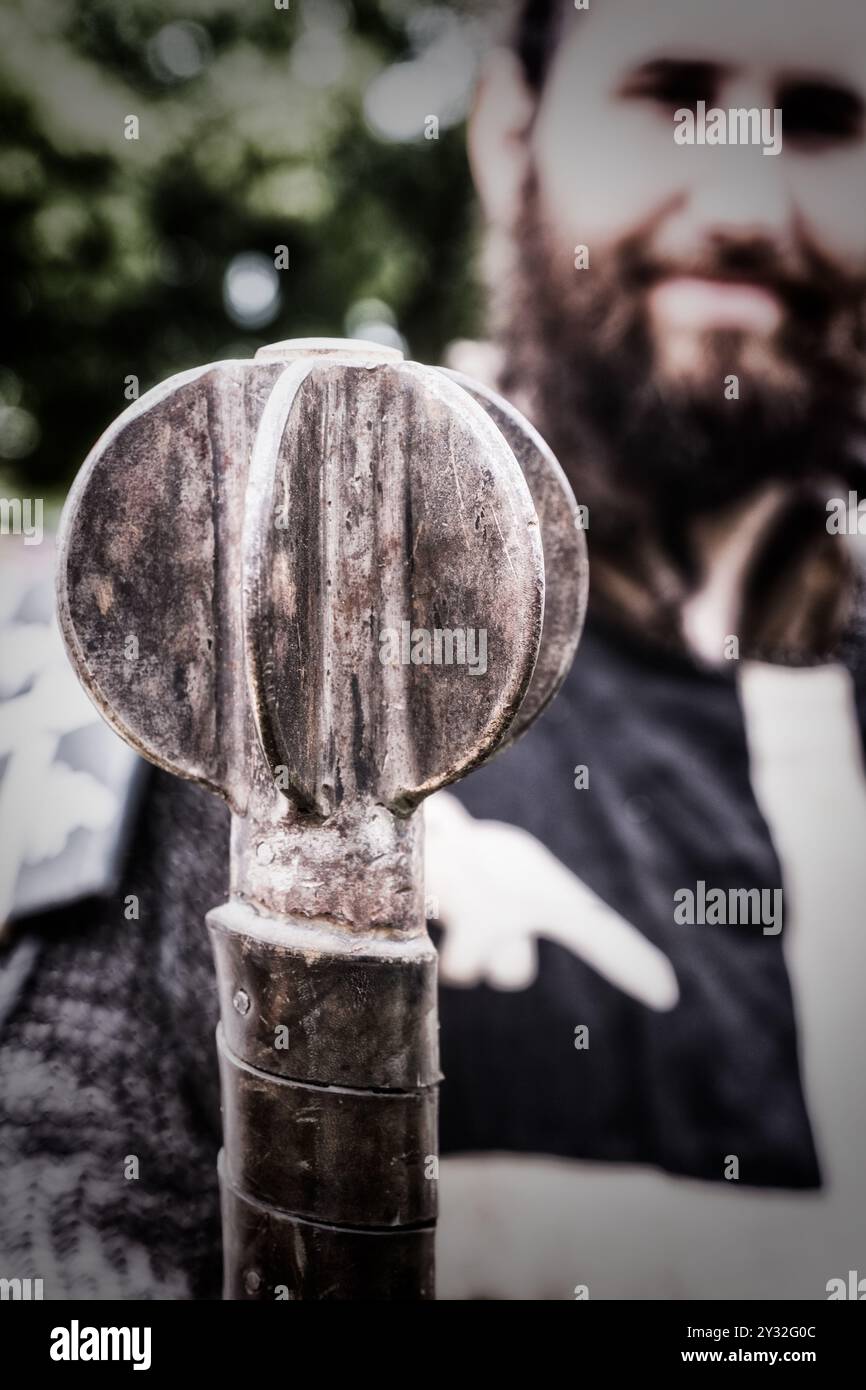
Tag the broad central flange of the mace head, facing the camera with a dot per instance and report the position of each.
(414, 512)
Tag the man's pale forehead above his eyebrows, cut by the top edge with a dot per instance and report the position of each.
(822, 37)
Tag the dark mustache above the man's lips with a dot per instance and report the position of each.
(810, 286)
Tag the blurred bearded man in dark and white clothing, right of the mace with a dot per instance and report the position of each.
(686, 326)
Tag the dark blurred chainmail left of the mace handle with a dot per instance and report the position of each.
(109, 1056)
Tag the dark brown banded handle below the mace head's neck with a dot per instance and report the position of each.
(329, 1072)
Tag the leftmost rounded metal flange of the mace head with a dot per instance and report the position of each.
(155, 511)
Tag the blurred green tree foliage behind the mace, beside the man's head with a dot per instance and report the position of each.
(137, 248)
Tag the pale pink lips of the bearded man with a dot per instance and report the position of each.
(701, 302)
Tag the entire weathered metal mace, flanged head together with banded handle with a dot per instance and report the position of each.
(247, 562)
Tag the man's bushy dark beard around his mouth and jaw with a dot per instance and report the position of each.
(646, 455)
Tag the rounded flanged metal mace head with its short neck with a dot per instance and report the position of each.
(315, 583)
